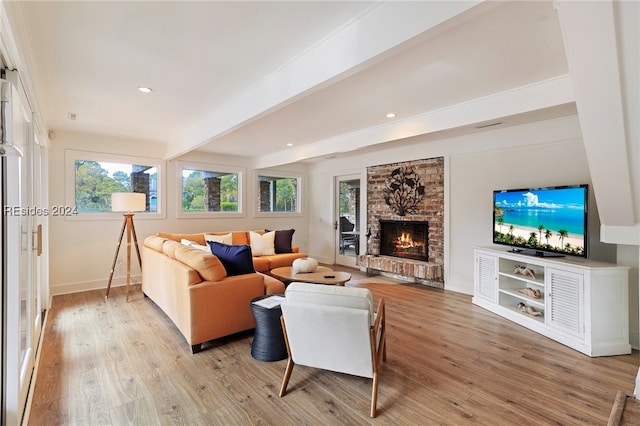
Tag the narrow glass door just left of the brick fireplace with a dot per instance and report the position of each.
(347, 219)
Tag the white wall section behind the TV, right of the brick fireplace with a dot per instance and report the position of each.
(473, 178)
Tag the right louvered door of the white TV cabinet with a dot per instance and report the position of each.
(565, 298)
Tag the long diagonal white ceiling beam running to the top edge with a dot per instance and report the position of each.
(359, 44)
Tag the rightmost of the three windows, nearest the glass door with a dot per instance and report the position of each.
(278, 193)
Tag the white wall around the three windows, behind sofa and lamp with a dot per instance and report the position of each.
(82, 251)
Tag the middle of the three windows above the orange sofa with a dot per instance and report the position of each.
(209, 190)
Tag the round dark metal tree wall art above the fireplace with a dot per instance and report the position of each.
(403, 191)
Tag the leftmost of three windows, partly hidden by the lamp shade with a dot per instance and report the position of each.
(93, 177)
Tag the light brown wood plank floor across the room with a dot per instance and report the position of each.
(449, 362)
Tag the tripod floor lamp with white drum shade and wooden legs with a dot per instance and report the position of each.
(127, 202)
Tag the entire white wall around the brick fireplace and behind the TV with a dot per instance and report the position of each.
(540, 154)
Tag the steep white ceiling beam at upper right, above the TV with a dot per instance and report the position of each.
(589, 34)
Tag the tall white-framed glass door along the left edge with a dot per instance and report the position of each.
(19, 287)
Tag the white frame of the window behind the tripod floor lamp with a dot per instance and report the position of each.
(71, 156)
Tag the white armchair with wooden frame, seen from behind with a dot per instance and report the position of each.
(334, 328)
